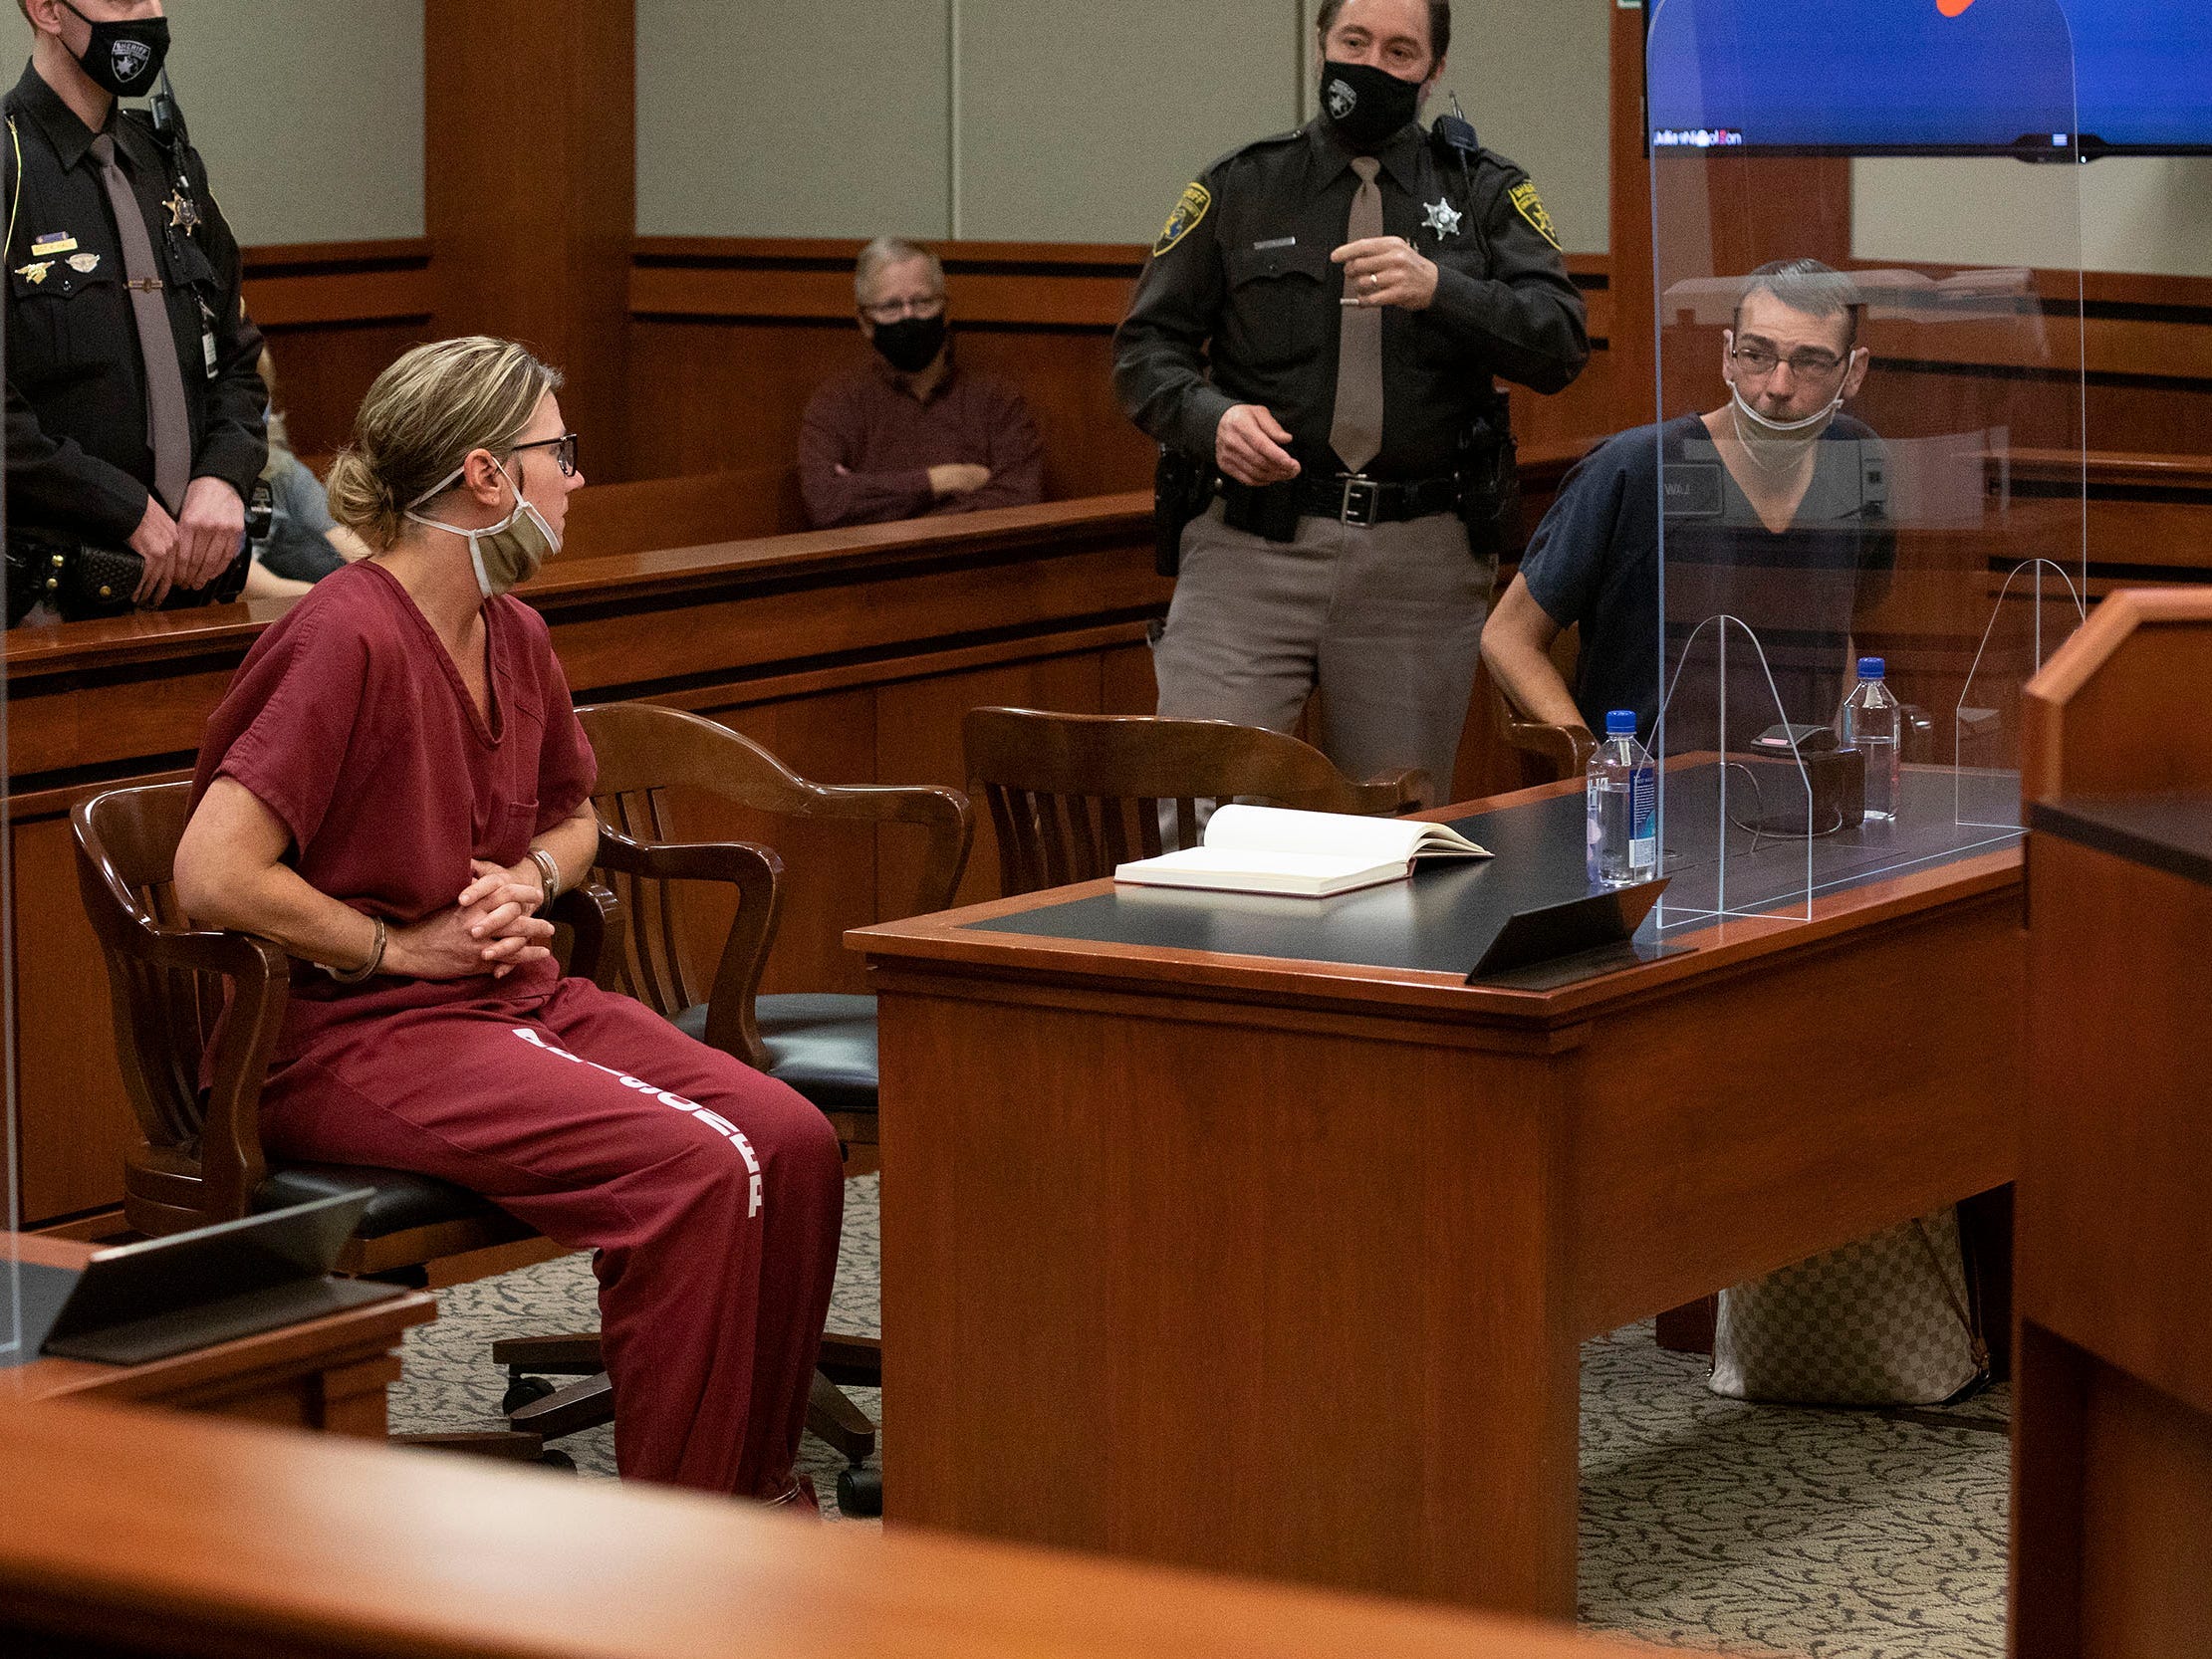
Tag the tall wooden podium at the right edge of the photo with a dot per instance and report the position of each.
(2114, 1430)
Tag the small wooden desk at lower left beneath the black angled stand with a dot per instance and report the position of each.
(324, 1375)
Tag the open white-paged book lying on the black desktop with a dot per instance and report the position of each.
(1308, 855)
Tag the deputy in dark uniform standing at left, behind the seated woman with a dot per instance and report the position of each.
(134, 399)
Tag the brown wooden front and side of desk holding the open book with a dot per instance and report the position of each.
(1189, 1249)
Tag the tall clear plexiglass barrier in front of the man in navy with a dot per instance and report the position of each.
(1866, 477)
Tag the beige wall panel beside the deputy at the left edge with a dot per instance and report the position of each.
(309, 114)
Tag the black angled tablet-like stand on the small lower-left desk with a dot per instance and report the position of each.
(145, 1302)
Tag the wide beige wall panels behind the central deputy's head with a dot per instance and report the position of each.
(1072, 121)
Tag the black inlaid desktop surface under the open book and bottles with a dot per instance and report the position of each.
(1446, 917)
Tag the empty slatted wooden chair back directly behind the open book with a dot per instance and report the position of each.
(1076, 795)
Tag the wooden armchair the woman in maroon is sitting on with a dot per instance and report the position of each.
(202, 1156)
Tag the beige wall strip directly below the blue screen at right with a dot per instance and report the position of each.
(2125, 213)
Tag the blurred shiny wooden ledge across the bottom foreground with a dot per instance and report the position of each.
(171, 1536)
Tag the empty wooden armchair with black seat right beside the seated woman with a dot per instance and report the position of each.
(820, 1043)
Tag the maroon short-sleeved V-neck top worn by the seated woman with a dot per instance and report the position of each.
(351, 722)
